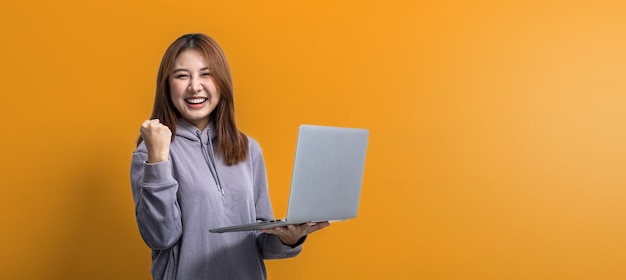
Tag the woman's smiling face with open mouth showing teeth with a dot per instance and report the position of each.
(192, 89)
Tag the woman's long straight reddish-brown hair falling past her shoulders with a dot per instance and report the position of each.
(232, 143)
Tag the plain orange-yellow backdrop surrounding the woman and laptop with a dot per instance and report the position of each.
(496, 147)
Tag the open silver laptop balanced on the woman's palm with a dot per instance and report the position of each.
(326, 180)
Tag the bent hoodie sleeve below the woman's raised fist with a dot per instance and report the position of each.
(156, 206)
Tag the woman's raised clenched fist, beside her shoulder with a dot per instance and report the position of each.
(157, 138)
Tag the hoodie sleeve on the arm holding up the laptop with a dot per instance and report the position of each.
(270, 245)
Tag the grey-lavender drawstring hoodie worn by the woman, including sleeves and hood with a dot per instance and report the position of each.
(177, 201)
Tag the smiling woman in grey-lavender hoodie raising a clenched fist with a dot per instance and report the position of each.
(194, 170)
